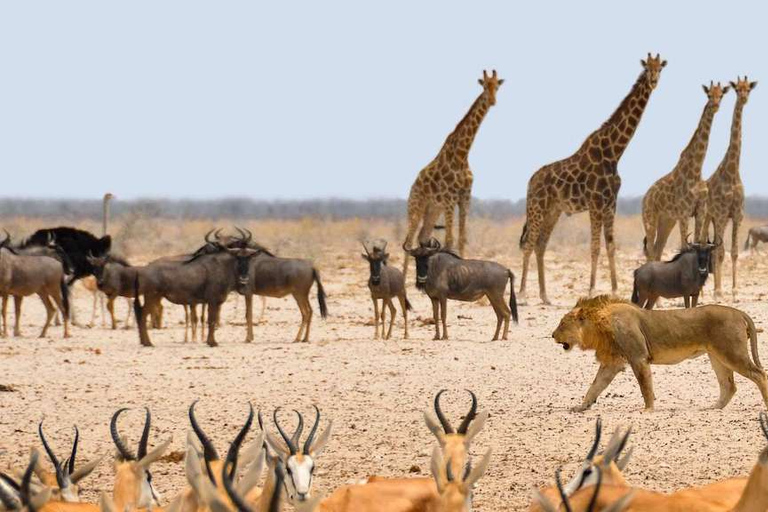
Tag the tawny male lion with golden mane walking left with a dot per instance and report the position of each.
(621, 333)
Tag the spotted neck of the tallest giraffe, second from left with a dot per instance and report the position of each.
(614, 135)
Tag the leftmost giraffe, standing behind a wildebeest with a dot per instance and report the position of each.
(447, 180)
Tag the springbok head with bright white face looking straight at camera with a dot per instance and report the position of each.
(299, 461)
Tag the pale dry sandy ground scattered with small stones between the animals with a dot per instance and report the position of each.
(376, 391)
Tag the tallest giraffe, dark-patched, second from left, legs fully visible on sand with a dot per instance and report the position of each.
(588, 180)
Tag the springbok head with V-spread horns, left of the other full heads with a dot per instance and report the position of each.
(64, 481)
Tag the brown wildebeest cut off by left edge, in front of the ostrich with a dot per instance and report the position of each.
(24, 274)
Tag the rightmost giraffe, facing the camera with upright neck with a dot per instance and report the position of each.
(725, 198)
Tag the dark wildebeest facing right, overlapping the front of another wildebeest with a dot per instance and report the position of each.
(204, 279)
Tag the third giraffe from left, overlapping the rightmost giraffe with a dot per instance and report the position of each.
(675, 196)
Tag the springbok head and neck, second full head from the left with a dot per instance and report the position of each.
(133, 482)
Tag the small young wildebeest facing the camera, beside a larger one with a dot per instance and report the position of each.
(385, 283)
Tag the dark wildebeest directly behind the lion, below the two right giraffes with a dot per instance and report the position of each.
(682, 276)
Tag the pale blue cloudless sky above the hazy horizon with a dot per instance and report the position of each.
(351, 99)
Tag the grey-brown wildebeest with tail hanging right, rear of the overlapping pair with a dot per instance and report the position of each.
(271, 276)
